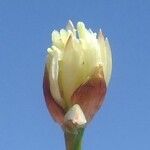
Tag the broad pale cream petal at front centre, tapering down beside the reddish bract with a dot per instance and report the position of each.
(71, 72)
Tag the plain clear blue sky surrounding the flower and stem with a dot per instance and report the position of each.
(123, 123)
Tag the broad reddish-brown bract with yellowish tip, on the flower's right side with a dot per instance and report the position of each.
(91, 95)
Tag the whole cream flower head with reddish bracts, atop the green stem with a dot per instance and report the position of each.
(77, 73)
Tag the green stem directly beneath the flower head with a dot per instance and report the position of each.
(74, 140)
